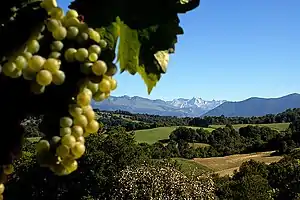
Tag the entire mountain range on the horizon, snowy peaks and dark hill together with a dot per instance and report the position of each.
(196, 107)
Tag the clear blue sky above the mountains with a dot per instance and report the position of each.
(231, 50)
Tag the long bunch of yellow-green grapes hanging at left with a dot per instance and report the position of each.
(64, 43)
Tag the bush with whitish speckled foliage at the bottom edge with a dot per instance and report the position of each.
(162, 182)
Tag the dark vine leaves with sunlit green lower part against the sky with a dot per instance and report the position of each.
(148, 32)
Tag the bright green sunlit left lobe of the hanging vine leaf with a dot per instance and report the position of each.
(129, 48)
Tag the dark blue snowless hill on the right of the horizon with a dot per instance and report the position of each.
(256, 106)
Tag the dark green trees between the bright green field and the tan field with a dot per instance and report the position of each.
(225, 141)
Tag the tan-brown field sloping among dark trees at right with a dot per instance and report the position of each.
(226, 165)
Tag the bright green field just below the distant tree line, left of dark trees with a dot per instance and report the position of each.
(155, 134)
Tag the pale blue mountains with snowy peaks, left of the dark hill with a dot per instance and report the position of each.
(180, 107)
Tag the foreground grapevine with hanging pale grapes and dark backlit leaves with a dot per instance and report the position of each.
(61, 62)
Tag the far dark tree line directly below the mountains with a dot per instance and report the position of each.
(131, 121)
